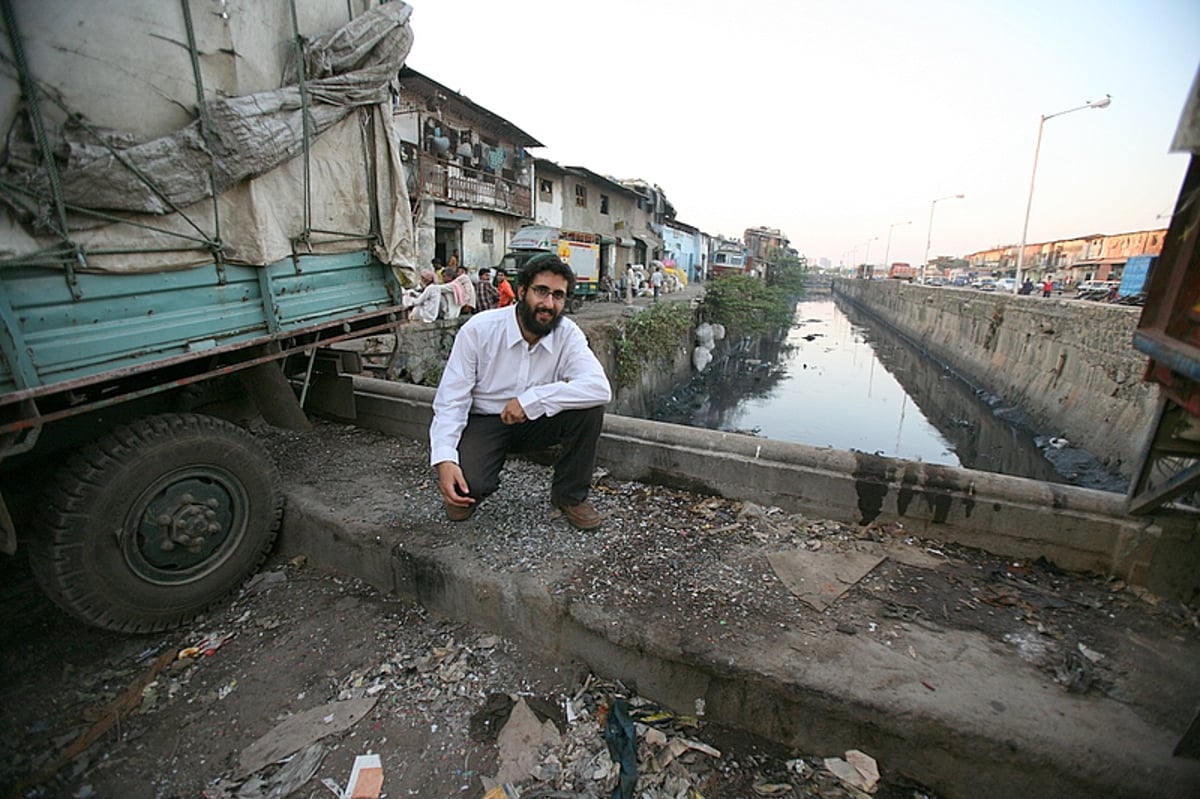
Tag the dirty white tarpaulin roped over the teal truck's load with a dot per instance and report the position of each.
(125, 69)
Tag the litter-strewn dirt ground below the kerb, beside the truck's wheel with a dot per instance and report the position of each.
(170, 728)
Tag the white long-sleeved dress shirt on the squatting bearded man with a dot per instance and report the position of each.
(491, 363)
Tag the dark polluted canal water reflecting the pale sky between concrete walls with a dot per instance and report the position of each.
(841, 380)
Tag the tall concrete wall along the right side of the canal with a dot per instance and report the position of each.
(1070, 364)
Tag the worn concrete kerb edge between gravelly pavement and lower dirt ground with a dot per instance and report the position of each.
(995, 726)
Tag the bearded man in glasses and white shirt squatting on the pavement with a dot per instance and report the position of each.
(520, 380)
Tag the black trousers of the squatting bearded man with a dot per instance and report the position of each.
(488, 442)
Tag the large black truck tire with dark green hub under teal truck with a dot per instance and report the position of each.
(146, 528)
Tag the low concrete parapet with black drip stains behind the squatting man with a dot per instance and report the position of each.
(1077, 528)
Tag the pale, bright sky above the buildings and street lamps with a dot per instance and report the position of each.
(845, 123)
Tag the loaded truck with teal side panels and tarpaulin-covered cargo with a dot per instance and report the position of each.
(184, 231)
